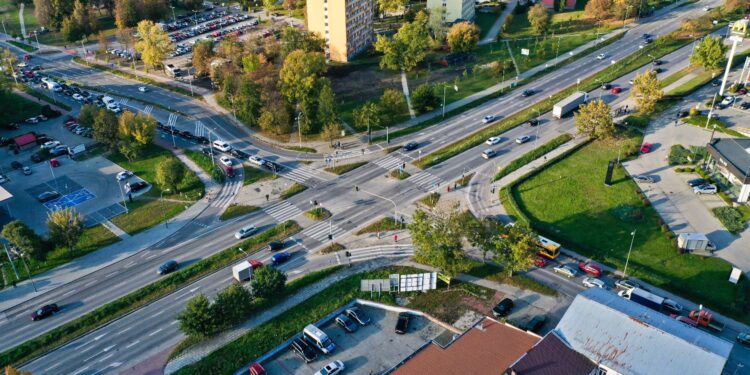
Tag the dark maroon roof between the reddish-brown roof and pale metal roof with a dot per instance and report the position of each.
(552, 356)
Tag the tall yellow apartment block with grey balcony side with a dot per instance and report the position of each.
(346, 26)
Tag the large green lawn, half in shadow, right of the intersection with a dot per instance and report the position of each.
(569, 203)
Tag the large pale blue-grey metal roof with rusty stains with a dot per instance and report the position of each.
(633, 339)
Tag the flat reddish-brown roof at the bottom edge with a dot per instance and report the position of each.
(489, 347)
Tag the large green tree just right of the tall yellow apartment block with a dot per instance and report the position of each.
(408, 47)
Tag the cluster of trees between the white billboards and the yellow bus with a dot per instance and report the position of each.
(438, 241)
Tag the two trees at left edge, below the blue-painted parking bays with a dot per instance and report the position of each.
(65, 229)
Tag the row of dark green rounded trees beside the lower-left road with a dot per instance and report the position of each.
(203, 318)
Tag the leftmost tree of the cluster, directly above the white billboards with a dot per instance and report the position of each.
(437, 241)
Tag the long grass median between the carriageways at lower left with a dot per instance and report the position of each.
(149, 293)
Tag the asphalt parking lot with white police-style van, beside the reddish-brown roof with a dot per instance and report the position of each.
(372, 349)
